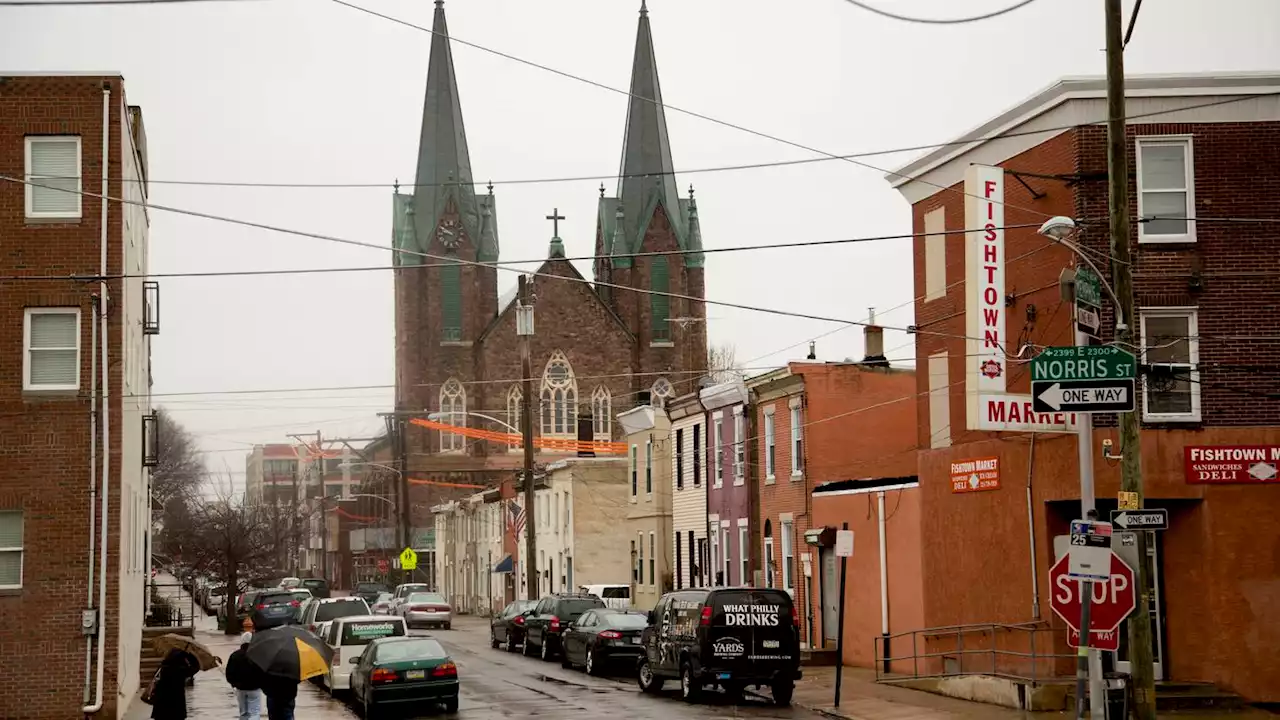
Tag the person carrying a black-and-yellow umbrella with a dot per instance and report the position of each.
(287, 655)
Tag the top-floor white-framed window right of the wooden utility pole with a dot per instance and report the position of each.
(1167, 190)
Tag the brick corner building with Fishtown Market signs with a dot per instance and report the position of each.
(1205, 148)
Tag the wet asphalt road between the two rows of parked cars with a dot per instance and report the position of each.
(499, 685)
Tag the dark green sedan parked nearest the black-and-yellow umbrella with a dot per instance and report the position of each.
(400, 672)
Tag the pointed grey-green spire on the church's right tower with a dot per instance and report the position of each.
(647, 171)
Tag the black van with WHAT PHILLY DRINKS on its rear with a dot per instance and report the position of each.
(729, 637)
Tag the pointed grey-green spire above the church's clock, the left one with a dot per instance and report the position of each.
(444, 161)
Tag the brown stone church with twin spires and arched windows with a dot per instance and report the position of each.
(633, 335)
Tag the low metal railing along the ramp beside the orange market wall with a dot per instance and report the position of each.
(1030, 651)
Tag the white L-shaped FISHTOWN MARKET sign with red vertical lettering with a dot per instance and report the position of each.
(990, 405)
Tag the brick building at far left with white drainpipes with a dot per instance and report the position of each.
(75, 397)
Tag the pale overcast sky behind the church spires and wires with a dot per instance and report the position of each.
(312, 92)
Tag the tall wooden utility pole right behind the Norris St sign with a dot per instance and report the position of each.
(1142, 673)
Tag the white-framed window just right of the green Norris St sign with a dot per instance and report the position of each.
(1171, 348)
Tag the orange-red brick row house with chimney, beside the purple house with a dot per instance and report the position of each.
(821, 425)
